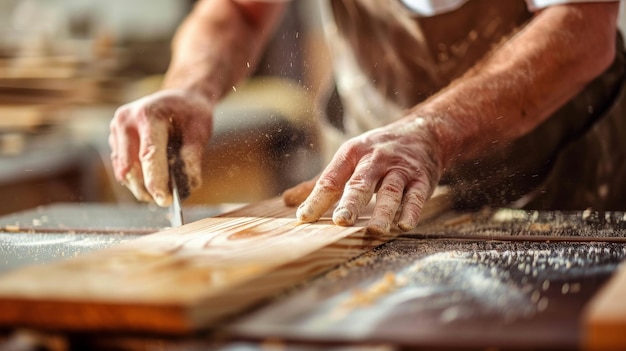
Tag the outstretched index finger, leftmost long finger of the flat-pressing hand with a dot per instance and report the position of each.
(328, 188)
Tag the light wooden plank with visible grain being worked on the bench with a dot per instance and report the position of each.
(182, 279)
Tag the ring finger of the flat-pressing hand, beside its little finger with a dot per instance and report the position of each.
(388, 200)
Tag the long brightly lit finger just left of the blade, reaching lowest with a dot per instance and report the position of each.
(153, 157)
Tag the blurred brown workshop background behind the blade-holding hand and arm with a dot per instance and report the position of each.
(66, 65)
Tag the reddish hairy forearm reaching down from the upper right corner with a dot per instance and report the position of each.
(524, 80)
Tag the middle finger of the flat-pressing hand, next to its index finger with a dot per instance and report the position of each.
(358, 192)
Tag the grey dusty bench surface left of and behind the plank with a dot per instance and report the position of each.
(65, 230)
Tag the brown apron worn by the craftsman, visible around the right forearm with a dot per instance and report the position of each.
(387, 59)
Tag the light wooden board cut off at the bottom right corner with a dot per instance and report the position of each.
(604, 321)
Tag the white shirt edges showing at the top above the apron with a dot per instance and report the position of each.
(433, 7)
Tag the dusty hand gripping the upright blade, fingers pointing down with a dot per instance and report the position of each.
(141, 132)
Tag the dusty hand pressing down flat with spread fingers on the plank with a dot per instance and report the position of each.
(401, 162)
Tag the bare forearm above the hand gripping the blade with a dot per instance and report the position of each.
(218, 44)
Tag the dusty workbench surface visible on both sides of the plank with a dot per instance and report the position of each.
(521, 282)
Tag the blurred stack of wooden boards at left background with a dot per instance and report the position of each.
(35, 89)
